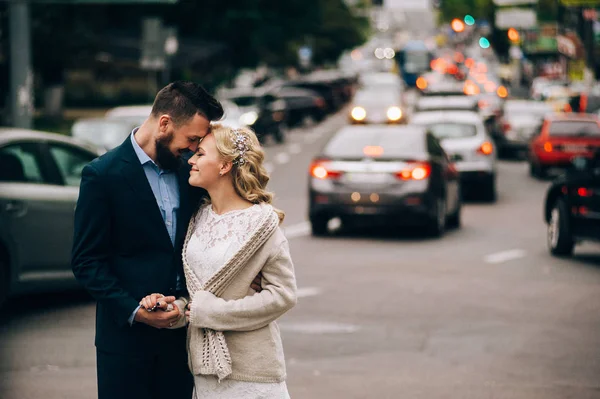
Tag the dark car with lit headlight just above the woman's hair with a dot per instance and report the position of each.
(265, 114)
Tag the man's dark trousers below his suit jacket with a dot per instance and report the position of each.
(152, 376)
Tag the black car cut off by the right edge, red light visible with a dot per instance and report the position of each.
(572, 206)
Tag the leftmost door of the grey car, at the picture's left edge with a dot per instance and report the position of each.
(29, 210)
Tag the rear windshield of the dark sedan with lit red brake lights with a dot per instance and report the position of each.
(350, 144)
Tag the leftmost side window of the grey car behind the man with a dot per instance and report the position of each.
(20, 163)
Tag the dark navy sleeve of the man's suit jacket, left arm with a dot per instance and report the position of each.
(92, 248)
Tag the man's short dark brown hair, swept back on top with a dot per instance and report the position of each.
(182, 100)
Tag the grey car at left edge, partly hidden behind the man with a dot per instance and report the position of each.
(39, 184)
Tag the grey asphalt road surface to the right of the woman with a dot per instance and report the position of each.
(445, 318)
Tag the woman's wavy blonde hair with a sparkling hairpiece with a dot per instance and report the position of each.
(249, 175)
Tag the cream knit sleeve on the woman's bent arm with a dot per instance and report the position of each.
(252, 312)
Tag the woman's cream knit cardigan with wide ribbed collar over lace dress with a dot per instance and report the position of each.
(232, 331)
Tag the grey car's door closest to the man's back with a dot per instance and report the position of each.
(68, 161)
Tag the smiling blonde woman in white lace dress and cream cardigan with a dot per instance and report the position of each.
(234, 344)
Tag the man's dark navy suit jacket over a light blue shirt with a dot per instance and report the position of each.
(122, 250)
